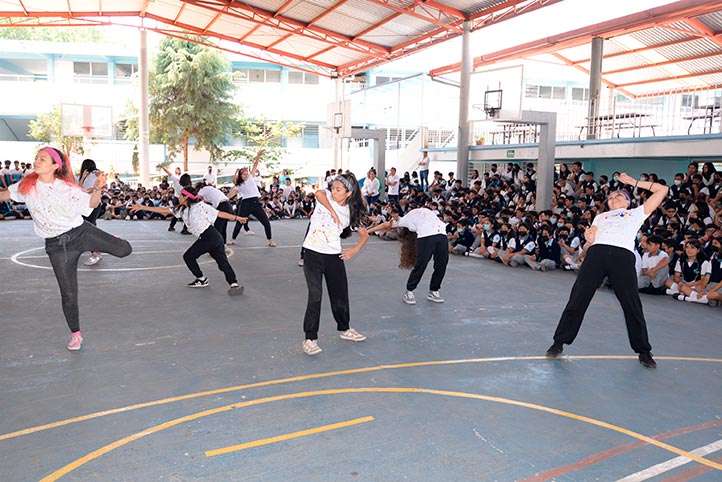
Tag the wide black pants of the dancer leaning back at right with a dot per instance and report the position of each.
(618, 265)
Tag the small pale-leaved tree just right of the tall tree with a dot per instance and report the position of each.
(262, 133)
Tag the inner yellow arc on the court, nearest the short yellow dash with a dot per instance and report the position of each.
(289, 396)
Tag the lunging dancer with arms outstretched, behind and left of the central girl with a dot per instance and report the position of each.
(199, 218)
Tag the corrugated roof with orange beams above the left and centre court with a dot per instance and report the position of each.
(328, 37)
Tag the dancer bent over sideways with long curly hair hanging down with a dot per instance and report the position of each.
(423, 236)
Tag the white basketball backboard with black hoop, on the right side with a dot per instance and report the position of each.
(496, 94)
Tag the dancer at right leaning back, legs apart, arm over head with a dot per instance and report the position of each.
(611, 254)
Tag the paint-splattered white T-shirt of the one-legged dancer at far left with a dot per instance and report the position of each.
(56, 208)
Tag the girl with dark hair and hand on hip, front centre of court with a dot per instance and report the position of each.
(336, 213)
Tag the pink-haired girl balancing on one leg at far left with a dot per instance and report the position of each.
(57, 205)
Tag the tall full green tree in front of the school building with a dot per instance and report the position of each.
(191, 92)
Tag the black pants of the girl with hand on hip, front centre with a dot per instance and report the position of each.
(316, 266)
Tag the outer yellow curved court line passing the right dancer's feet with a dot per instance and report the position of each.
(300, 378)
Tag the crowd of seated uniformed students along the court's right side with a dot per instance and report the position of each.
(678, 247)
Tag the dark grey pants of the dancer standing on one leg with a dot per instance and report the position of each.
(64, 252)
